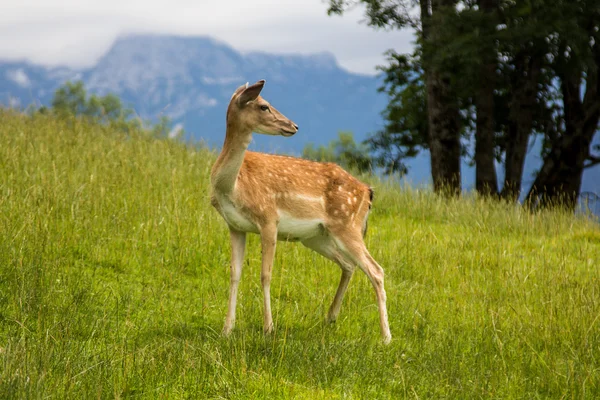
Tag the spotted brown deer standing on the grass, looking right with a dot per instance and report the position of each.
(283, 198)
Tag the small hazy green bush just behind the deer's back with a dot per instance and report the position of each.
(343, 151)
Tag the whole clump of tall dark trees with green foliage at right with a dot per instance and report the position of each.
(500, 72)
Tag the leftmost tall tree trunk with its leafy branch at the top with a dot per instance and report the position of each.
(443, 118)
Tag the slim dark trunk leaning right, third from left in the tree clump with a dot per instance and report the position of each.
(524, 86)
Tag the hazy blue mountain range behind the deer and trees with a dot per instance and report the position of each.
(191, 79)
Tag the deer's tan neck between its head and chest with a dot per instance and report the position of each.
(228, 164)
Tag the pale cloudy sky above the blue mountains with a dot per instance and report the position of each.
(77, 33)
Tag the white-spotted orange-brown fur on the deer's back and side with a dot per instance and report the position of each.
(267, 183)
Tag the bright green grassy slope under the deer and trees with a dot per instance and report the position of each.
(114, 281)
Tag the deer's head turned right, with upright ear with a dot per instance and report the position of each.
(247, 109)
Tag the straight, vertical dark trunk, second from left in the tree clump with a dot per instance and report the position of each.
(486, 182)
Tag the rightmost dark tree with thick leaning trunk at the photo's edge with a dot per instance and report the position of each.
(576, 63)
